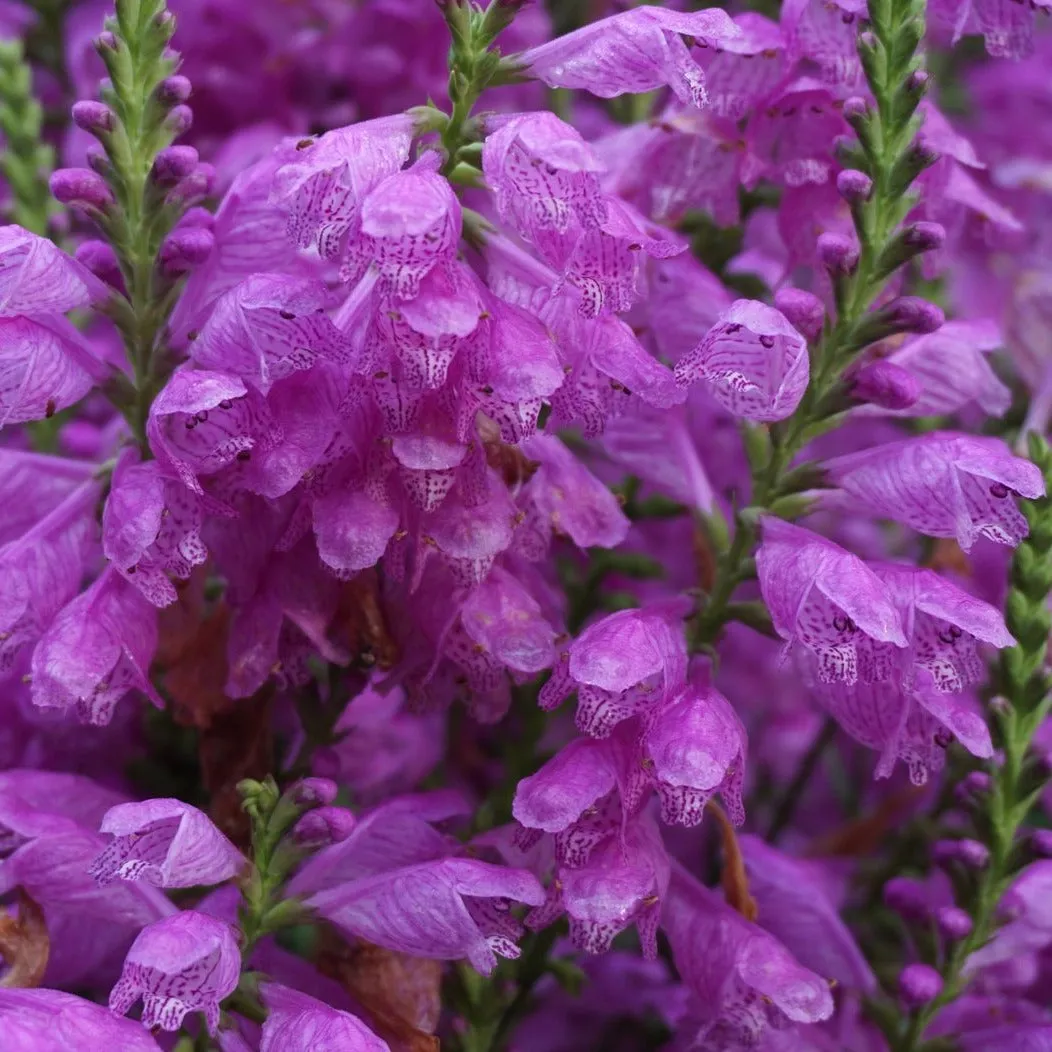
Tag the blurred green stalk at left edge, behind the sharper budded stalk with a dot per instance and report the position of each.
(27, 160)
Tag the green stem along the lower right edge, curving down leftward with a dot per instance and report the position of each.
(1023, 702)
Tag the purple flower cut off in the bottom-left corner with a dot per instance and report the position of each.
(51, 1021)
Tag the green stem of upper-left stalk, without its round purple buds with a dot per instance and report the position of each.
(138, 62)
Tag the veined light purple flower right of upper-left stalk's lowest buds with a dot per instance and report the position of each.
(268, 328)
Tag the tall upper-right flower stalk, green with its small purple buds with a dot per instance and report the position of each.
(883, 165)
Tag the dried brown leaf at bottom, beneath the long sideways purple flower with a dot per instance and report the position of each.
(399, 994)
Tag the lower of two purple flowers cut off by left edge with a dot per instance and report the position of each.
(46, 367)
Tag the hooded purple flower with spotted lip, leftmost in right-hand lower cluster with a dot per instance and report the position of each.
(827, 600)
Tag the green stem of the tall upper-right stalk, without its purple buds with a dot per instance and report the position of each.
(886, 152)
